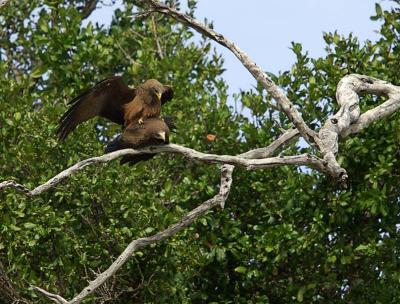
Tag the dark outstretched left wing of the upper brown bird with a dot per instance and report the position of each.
(105, 99)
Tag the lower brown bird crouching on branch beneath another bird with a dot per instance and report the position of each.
(153, 131)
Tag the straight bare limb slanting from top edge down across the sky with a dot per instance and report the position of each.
(284, 103)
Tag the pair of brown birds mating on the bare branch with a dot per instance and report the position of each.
(136, 109)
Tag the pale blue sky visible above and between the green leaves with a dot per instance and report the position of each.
(264, 29)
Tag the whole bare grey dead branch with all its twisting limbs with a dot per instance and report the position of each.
(348, 120)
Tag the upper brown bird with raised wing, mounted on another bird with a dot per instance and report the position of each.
(113, 99)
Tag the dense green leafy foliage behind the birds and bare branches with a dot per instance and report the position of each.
(286, 235)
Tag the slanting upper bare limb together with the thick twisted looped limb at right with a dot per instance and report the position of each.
(326, 141)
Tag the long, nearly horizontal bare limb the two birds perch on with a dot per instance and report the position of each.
(250, 164)
